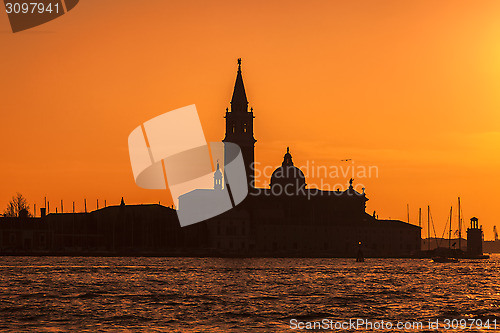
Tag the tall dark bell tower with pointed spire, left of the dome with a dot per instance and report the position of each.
(239, 126)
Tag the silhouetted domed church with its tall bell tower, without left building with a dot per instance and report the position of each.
(289, 219)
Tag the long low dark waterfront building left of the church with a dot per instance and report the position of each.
(114, 230)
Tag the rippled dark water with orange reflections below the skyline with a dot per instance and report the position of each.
(238, 295)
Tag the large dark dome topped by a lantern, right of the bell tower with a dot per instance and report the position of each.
(287, 179)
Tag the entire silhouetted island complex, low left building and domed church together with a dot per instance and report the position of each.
(285, 219)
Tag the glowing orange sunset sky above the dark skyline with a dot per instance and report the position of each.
(411, 87)
